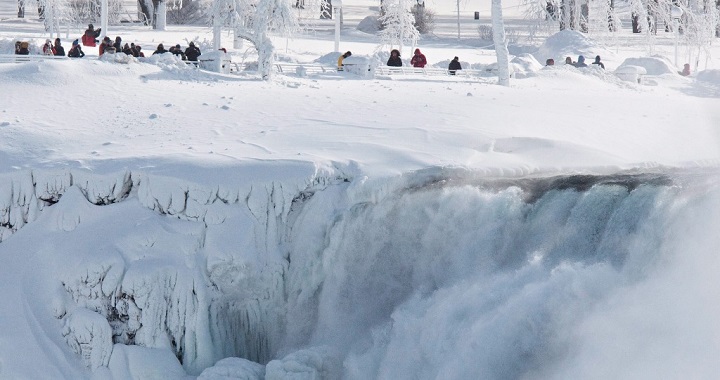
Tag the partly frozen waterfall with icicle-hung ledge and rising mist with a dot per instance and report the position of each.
(435, 274)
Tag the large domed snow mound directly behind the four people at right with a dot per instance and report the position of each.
(569, 43)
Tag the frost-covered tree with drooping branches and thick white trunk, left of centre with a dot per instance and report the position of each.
(253, 20)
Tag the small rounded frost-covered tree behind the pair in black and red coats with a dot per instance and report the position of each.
(398, 24)
